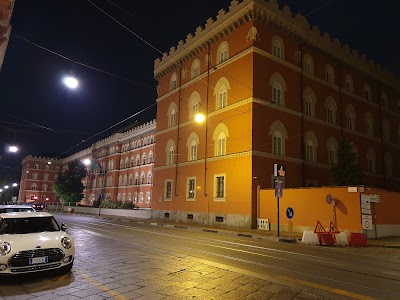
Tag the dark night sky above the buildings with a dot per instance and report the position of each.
(43, 117)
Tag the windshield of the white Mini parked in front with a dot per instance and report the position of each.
(28, 225)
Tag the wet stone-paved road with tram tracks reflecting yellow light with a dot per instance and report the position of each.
(130, 260)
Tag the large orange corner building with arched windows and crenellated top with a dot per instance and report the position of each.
(272, 89)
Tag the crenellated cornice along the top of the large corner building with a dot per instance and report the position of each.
(269, 13)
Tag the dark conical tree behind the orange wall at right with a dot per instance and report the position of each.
(346, 171)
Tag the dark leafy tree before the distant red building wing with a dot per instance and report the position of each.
(68, 185)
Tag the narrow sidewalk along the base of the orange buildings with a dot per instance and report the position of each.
(385, 242)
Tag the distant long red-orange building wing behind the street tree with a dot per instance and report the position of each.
(120, 169)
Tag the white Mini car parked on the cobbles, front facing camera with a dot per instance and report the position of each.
(32, 242)
